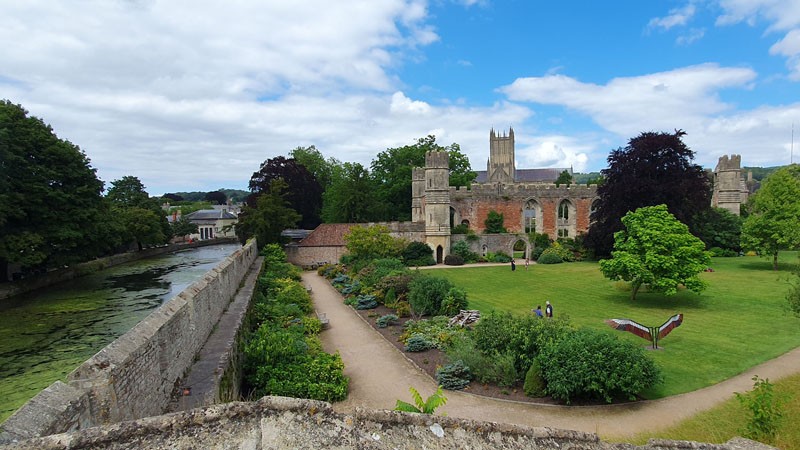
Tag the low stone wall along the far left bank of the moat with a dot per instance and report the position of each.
(78, 270)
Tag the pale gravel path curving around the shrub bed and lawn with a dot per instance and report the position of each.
(380, 375)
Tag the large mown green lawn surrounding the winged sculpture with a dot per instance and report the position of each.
(737, 323)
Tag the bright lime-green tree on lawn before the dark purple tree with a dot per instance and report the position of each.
(657, 250)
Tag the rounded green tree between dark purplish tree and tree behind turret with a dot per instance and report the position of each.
(351, 196)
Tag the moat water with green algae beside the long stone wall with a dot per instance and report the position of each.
(46, 334)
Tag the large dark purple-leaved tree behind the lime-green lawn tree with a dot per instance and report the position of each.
(653, 169)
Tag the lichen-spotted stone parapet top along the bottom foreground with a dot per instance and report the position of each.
(279, 422)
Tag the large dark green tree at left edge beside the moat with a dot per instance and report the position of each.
(50, 196)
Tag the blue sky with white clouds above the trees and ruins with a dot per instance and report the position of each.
(196, 95)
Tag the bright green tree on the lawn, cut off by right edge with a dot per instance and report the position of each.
(774, 214)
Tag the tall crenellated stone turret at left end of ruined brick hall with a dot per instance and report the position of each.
(437, 203)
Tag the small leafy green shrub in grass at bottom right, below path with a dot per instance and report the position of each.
(766, 410)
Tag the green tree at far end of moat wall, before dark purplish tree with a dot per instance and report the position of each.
(269, 217)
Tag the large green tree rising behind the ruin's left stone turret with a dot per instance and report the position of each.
(393, 167)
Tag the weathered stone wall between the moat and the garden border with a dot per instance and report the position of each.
(135, 375)
